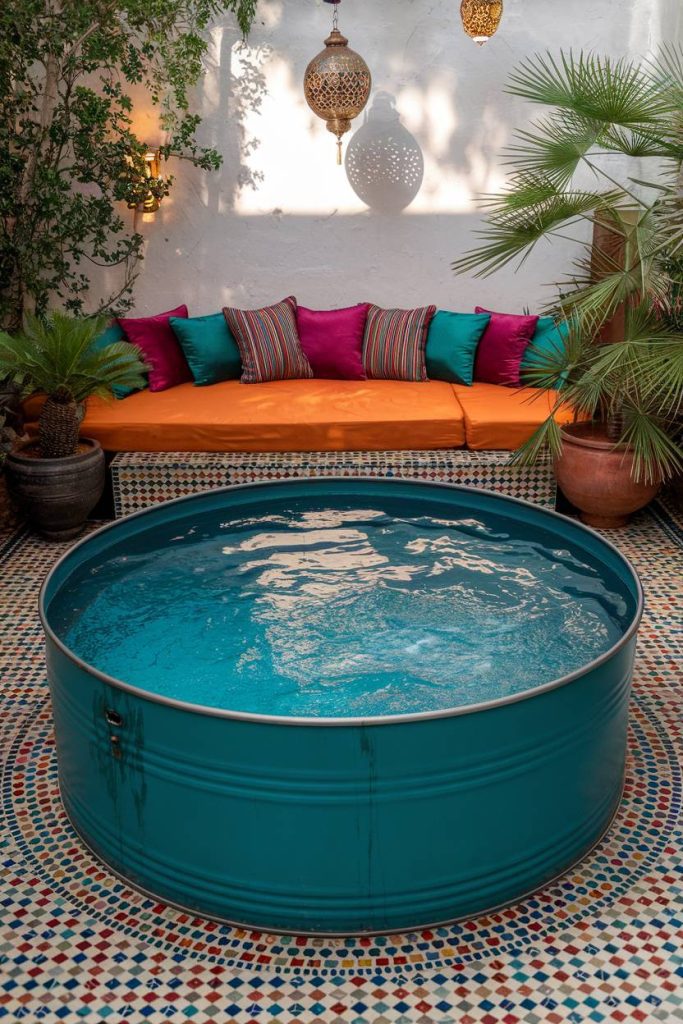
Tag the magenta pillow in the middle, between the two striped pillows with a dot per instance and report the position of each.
(332, 340)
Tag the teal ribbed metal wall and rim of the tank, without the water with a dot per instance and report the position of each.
(341, 826)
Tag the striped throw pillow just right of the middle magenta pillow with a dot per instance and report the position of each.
(395, 344)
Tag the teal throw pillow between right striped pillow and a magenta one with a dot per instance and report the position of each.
(452, 346)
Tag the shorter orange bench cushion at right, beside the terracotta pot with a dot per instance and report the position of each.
(503, 418)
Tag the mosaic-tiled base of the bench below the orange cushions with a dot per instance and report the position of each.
(145, 479)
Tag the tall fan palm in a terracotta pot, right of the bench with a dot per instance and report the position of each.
(622, 367)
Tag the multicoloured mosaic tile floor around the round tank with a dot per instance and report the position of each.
(604, 945)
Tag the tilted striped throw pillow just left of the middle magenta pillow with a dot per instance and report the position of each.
(269, 343)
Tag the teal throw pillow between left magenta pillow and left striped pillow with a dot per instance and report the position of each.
(208, 346)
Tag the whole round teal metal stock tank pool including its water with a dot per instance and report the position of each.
(462, 769)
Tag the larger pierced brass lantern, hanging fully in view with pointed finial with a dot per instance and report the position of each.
(337, 84)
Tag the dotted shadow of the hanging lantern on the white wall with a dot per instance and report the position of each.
(385, 163)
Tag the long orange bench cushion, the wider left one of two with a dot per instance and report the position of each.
(281, 416)
